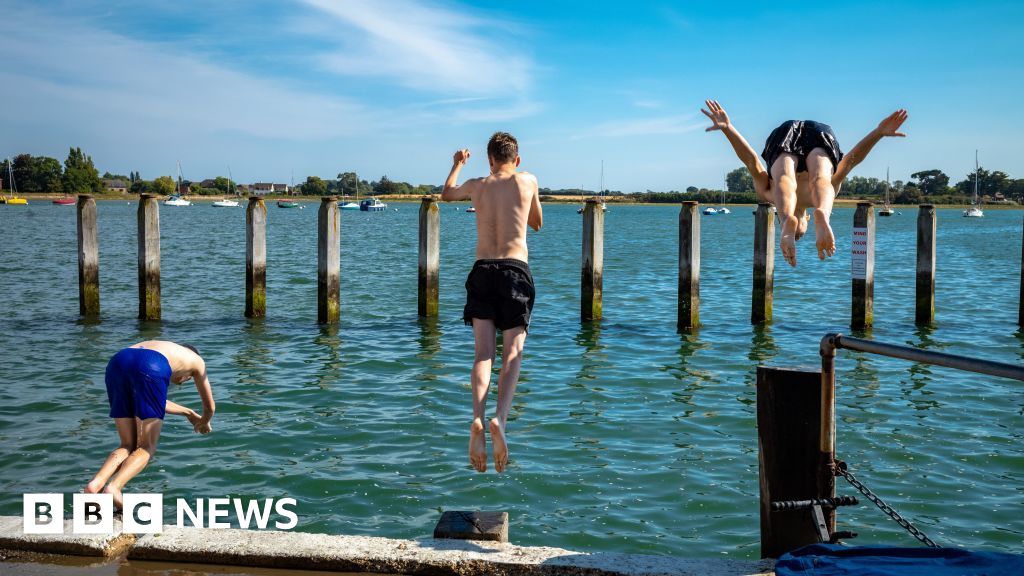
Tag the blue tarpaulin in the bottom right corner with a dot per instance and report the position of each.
(837, 560)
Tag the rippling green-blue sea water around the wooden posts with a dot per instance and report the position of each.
(625, 436)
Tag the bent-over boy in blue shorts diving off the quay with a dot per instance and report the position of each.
(138, 379)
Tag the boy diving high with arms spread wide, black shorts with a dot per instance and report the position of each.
(806, 169)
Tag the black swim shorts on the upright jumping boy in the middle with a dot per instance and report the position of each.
(501, 291)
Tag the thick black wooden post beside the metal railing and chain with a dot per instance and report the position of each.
(795, 446)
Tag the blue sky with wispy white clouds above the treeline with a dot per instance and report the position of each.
(396, 87)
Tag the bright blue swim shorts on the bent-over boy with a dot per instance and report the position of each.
(137, 384)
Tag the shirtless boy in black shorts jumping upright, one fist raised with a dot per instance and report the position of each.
(500, 289)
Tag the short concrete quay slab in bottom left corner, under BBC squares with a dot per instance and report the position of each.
(13, 538)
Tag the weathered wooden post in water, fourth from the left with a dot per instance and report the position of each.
(329, 262)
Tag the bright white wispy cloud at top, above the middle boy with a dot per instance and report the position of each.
(425, 47)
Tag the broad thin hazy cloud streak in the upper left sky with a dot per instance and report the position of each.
(76, 73)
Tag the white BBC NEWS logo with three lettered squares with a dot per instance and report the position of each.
(144, 514)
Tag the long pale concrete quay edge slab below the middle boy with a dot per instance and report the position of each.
(365, 554)
